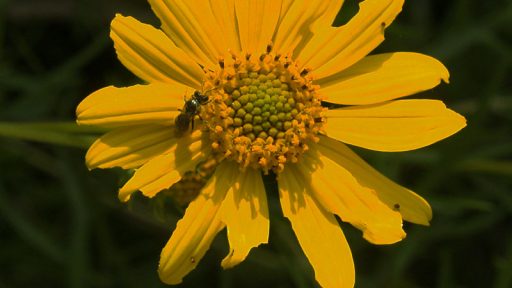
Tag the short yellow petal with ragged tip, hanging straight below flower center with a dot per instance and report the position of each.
(245, 213)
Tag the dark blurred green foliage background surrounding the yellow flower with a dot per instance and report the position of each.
(62, 226)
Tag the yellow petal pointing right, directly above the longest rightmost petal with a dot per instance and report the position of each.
(383, 77)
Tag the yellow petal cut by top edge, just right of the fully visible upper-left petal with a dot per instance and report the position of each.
(193, 27)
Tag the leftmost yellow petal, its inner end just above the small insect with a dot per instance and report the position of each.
(135, 105)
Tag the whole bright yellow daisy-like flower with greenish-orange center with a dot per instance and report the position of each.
(269, 68)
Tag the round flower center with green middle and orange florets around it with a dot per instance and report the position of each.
(262, 110)
